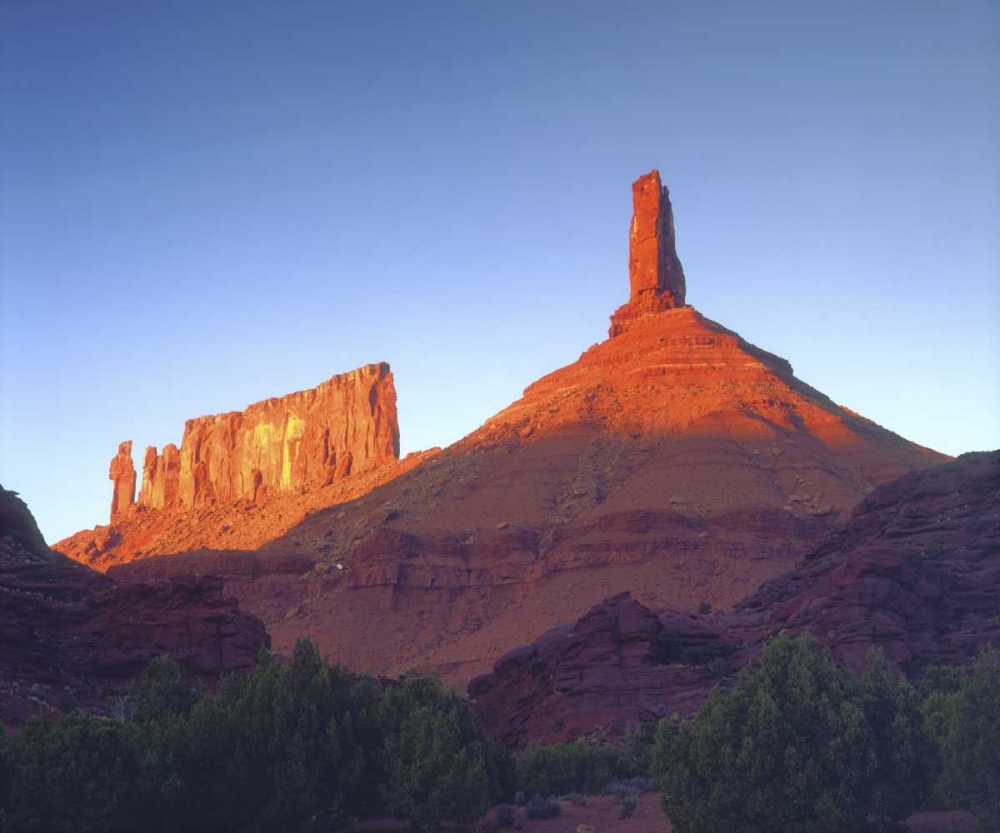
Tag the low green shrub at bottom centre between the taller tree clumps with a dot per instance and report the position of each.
(559, 768)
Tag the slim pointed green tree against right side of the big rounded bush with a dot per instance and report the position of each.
(903, 771)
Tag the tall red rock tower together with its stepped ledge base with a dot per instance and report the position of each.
(656, 277)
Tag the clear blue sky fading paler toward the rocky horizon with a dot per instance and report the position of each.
(204, 204)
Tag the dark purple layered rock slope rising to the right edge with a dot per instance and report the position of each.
(916, 572)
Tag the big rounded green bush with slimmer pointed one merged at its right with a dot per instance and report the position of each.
(790, 748)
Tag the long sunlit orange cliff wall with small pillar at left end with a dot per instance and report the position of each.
(303, 440)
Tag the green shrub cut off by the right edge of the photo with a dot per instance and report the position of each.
(961, 721)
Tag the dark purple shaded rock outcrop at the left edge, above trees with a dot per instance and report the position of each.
(70, 636)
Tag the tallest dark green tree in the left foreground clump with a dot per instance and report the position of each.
(282, 748)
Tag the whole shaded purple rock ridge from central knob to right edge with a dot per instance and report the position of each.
(915, 572)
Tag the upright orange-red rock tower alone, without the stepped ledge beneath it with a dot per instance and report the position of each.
(653, 264)
